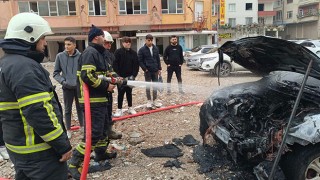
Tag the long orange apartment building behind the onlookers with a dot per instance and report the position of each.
(191, 20)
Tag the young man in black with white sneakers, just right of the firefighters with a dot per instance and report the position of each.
(126, 64)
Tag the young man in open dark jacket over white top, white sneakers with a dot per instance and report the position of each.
(149, 61)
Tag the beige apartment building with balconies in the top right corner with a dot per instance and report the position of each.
(299, 17)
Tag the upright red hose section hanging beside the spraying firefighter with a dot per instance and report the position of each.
(87, 114)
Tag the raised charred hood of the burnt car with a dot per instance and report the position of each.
(262, 55)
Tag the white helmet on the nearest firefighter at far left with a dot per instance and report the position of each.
(27, 26)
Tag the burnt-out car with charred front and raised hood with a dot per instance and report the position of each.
(250, 119)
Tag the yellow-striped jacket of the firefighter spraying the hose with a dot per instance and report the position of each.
(92, 63)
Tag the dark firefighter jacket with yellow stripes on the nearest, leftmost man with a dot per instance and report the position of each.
(29, 110)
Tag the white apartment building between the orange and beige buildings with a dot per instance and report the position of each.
(247, 18)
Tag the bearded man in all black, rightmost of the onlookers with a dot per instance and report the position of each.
(173, 57)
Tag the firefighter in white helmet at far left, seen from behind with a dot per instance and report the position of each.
(31, 116)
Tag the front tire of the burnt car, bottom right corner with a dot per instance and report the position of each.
(302, 162)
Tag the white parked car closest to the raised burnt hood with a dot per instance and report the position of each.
(210, 62)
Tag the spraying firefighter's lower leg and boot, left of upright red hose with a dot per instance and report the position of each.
(74, 164)
